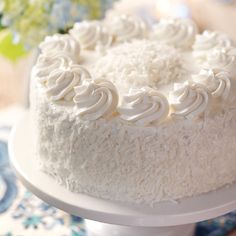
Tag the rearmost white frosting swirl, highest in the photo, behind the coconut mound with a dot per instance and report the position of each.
(125, 28)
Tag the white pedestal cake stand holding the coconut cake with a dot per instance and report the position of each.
(165, 219)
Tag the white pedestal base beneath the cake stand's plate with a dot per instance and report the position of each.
(95, 228)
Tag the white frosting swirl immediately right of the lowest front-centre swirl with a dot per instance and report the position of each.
(188, 100)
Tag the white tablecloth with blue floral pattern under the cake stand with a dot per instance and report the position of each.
(23, 214)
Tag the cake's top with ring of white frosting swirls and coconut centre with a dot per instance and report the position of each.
(142, 75)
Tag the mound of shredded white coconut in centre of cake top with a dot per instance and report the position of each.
(140, 63)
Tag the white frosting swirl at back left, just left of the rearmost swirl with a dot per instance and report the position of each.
(91, 34)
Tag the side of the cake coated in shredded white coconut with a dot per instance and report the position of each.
(114, 161)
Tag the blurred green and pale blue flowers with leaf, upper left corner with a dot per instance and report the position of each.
(31, 20)
